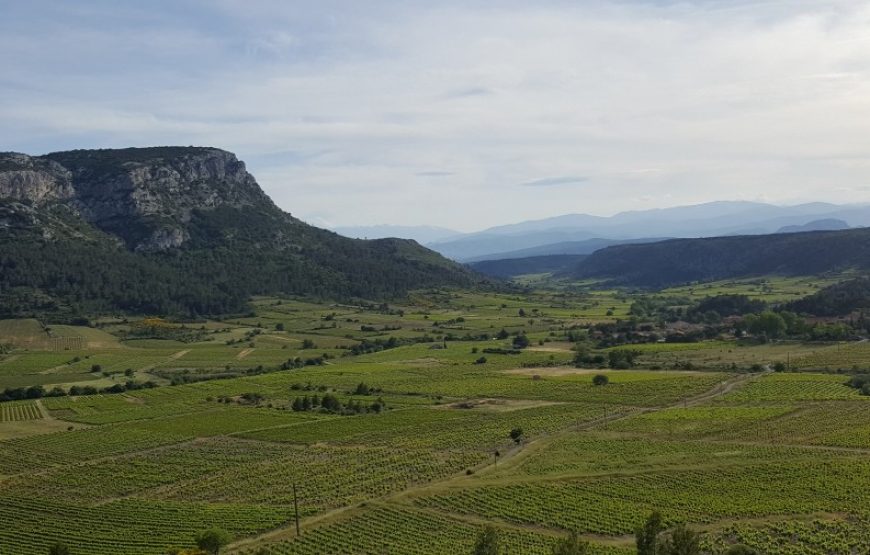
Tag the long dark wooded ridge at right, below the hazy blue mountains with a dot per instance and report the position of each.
(680, 261)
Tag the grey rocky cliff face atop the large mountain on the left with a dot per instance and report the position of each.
(143, 195)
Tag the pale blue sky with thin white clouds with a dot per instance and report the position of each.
(460, 113)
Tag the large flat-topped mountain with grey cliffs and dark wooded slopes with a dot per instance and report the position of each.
(176, 230)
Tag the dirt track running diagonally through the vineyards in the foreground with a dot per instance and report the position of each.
(509, 459)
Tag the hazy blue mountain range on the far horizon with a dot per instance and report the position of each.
(703, 220)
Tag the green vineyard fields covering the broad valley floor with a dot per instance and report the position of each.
(442, 430)
